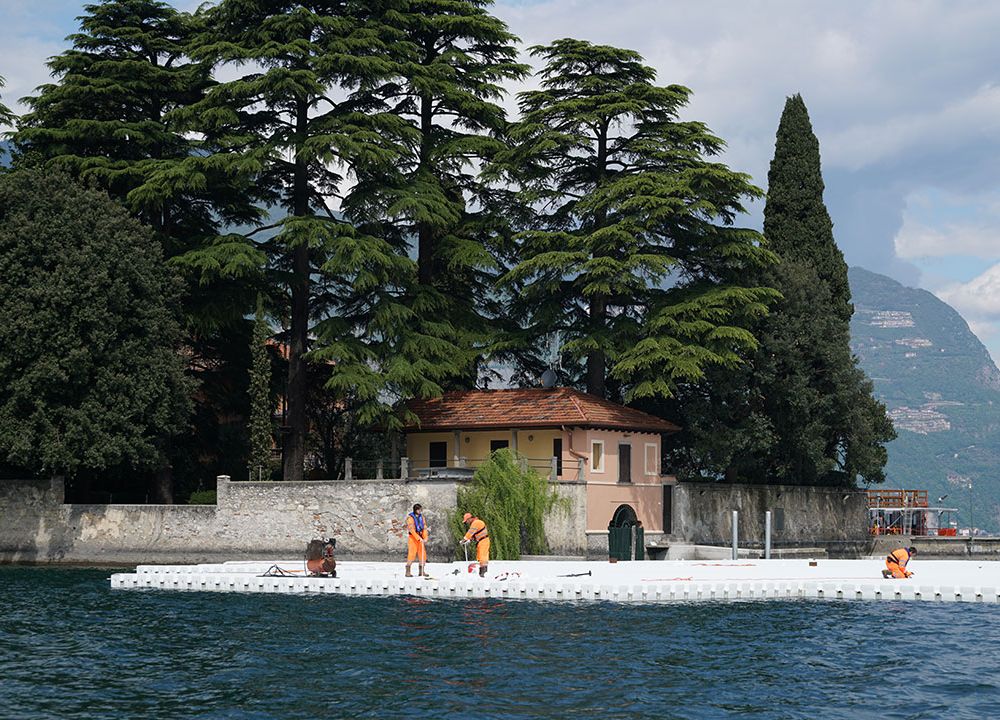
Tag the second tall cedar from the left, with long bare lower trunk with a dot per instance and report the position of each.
(297, 121)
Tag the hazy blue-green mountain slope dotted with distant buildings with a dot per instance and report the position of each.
(942, 390)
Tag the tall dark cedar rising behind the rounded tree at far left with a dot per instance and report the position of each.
(107, 119)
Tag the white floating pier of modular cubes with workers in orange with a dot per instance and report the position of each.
(639, 582)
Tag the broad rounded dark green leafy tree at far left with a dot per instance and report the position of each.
(91, 375)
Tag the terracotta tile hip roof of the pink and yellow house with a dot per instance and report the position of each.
(529, 408)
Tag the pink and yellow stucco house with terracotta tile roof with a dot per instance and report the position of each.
(566, 434)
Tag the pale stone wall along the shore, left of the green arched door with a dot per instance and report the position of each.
(259, 520)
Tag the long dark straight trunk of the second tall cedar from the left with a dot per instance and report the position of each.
(295, 394)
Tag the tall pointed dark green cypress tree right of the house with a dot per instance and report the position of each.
(826, 424)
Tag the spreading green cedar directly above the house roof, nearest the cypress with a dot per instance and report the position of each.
(632, 249)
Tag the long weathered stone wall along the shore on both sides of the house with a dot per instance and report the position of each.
(275, 520)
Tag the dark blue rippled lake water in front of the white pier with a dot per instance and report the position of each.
(72, 648)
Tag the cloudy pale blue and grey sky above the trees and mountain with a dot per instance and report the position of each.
(904, 96)
